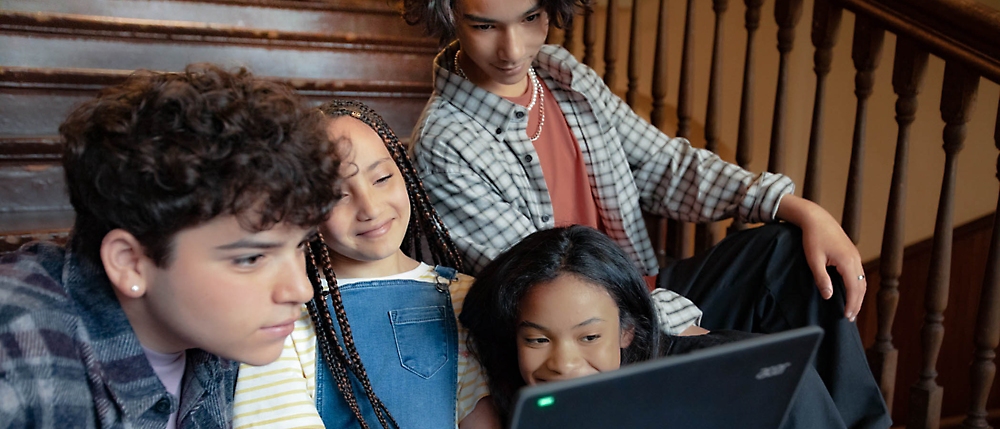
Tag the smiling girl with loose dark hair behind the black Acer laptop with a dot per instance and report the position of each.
(566, 303)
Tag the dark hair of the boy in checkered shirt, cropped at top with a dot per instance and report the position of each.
(438, 16)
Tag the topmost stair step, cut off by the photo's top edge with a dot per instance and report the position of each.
(342, 17)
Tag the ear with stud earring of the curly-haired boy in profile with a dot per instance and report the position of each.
(124, 260)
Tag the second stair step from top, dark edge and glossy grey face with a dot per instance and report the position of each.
(44, 40)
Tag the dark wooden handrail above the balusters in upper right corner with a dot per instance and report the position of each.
(961, 30)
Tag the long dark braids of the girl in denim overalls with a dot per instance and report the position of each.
(424, 232)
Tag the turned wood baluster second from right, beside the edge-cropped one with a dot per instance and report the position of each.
(957, 98)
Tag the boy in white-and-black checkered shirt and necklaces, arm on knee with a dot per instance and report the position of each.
(518, 137)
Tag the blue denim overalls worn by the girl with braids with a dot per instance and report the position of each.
(406, 334)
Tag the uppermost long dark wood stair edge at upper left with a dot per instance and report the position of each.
(84, 26)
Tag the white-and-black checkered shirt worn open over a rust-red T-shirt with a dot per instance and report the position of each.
(481, 170)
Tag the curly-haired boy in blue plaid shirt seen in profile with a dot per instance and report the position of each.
(194, 195)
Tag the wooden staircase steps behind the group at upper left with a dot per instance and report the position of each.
(55, 54)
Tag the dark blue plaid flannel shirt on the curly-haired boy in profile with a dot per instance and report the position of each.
(69, 357)
